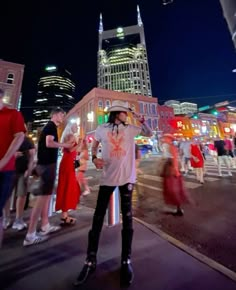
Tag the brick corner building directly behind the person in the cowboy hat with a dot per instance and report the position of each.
(91, 111)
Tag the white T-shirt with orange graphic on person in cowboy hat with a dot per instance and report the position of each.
(118, 153)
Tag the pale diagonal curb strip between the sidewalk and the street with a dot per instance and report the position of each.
(202, 258)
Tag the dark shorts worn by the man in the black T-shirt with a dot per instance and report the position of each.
(46, 179)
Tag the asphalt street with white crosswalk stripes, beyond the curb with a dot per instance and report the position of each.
(208, 225)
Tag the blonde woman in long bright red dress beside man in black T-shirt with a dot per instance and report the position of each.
(68, 190)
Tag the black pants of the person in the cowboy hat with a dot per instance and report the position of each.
(98, 218)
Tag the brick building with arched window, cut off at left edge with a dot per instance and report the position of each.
(11, 77)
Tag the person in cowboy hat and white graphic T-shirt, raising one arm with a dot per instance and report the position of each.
(118, 164)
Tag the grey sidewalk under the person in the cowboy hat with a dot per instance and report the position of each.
(158, 265)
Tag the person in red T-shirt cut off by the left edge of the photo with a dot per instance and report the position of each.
(12, 131)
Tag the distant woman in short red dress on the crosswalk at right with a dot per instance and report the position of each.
(197, 161)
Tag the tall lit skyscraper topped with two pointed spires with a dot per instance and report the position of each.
(122, 59)
